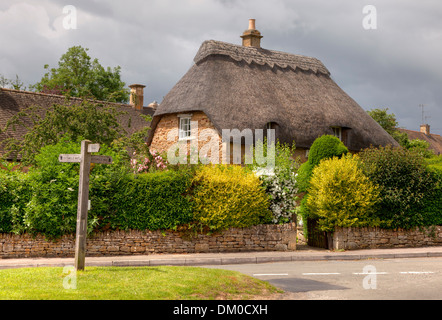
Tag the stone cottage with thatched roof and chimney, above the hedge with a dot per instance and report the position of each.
(246, 88)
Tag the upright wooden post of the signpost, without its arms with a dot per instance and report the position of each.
(83, 197)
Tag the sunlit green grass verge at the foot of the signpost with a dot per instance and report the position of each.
(116, 283)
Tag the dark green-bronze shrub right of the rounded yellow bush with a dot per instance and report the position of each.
(405, 183)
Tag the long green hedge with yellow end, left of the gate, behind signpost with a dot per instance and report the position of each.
(44, 201)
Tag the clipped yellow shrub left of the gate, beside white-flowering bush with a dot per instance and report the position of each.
(229, 196)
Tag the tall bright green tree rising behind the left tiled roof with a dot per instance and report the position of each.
(78, 75)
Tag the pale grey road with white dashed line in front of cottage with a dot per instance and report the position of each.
(389, 279)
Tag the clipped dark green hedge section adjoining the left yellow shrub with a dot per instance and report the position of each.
(151, 201)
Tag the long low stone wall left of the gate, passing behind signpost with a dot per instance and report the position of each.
(257, 238)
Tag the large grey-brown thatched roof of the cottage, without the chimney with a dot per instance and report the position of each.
(241, 87)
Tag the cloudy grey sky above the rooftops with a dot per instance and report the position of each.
(398, 65)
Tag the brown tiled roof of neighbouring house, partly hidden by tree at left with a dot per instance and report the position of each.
(14, 101)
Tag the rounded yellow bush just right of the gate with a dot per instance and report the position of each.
(341, 195)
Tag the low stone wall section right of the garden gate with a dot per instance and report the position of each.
(371, 238)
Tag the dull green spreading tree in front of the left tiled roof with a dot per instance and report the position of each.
(87, 120)
